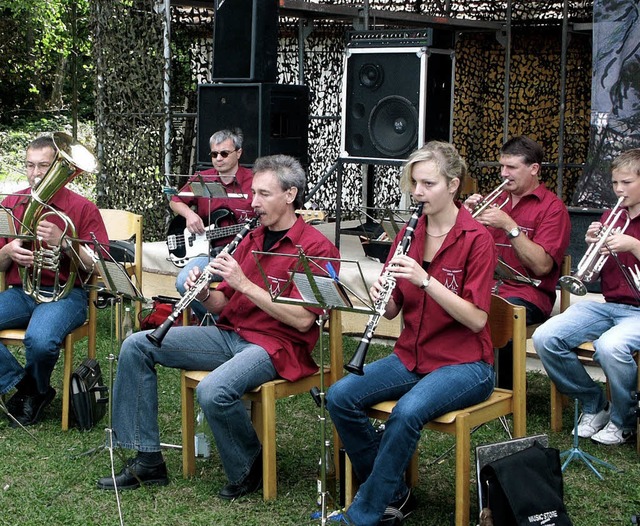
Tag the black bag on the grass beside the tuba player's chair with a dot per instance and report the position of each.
(89, 395)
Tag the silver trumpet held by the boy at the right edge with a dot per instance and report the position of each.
(592, 262)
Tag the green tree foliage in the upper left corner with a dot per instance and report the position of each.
(41, 44)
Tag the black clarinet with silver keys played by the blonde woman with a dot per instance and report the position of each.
(356, 365)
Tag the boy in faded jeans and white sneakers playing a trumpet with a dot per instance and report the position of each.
(612, 326)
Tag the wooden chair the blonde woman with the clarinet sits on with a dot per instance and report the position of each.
(507, 322)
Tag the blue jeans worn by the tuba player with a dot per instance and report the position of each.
(46, 324)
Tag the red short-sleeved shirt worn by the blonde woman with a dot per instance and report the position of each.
(465, 262)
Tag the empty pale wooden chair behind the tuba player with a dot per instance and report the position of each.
(126, 226)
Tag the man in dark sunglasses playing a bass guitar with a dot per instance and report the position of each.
(226, 150)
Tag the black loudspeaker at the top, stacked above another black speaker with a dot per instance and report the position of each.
(245, 40)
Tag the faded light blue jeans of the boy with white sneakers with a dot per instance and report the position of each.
(613, 328)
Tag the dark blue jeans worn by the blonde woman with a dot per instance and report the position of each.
(380, 461)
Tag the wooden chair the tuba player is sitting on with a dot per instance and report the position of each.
(87, 330)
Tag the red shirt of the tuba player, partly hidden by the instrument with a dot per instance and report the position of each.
(84, 215)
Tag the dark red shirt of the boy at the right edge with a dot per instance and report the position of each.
(615, 288)
